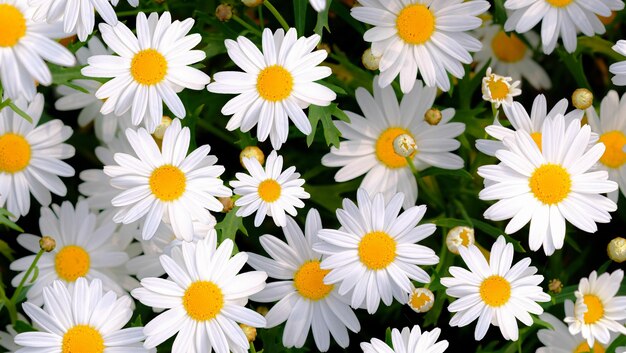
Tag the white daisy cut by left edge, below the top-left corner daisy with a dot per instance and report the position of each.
(31, 157)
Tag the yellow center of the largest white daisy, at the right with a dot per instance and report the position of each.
(550, 183)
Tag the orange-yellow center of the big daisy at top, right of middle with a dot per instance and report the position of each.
(415, 24)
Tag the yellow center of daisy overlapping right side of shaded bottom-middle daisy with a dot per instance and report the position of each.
(377, 250)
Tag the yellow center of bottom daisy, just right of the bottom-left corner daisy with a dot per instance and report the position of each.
(203, 300)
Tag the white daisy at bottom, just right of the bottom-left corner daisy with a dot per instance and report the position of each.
(205, 298)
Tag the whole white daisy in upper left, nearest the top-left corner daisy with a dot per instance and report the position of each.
(150, 69)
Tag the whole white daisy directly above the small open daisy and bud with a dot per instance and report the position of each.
(277, 84)
